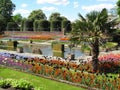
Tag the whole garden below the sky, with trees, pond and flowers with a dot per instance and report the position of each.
(37, 53)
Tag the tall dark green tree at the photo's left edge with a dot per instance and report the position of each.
(6, 10)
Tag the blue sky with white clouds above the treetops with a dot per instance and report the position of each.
(67, 8)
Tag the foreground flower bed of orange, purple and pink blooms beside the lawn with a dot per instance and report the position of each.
(69, 71)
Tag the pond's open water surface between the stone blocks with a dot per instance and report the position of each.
(47, 50)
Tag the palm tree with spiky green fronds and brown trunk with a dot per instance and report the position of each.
(92, 30)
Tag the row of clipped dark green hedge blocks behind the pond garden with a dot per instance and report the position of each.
(40, 25)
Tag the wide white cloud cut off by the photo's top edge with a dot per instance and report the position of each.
(55, 2)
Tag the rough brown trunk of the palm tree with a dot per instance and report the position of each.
(95, 53)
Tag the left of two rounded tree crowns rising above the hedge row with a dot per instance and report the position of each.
(37, 15)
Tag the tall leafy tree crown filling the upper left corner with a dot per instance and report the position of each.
(6, 10)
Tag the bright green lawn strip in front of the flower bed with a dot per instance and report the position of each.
(36, 81)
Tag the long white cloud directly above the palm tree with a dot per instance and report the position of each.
(97, 7)
